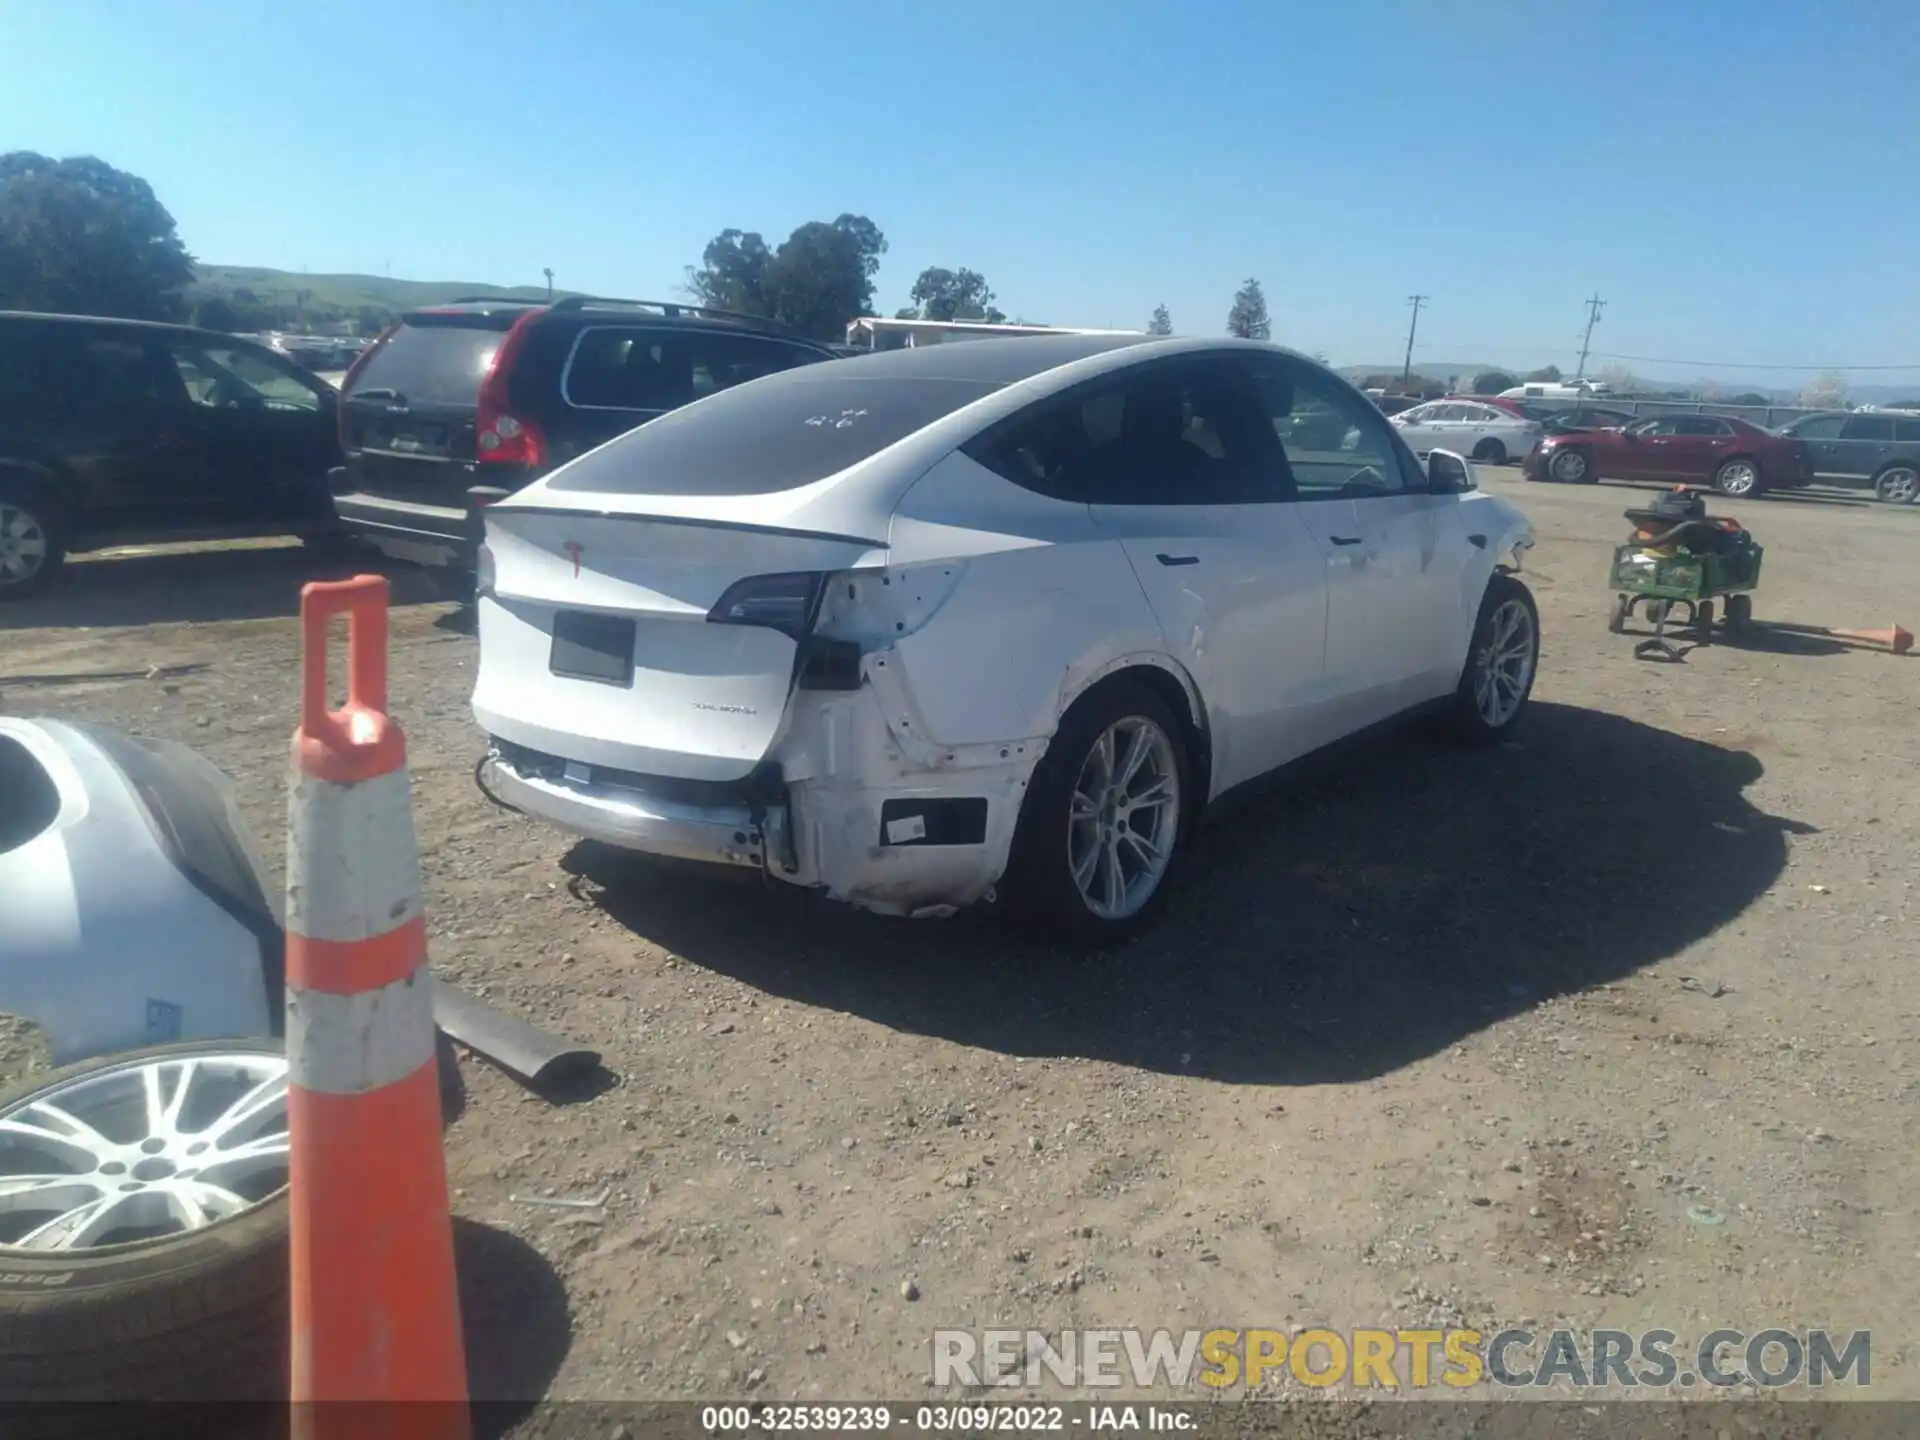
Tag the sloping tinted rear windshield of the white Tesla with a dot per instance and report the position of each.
(775, 435)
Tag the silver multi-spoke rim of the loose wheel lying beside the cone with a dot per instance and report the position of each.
(143, 1151)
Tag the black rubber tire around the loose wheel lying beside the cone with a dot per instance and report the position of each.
(197, 1316)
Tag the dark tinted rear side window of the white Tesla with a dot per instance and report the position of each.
(1166, 435)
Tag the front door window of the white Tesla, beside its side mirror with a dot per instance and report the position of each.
(1335, 444)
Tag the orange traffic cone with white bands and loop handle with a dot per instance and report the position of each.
(373, 1293)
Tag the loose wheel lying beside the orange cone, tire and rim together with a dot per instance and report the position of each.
(143, 1228)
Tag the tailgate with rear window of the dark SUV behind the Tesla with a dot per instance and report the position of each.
(408, 423)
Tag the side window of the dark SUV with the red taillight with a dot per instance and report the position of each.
(635, 370)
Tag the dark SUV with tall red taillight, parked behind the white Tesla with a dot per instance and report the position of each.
(464, 404)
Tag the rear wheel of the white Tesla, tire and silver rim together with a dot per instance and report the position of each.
(1105, 817)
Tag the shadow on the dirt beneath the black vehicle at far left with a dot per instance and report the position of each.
(208, 585)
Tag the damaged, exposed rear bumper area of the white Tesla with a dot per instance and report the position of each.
(846, 804)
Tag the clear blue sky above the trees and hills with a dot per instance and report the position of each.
(1737, 180)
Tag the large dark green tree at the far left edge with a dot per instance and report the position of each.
(80, 237)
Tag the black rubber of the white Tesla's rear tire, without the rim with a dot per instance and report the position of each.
(1040, 888)
